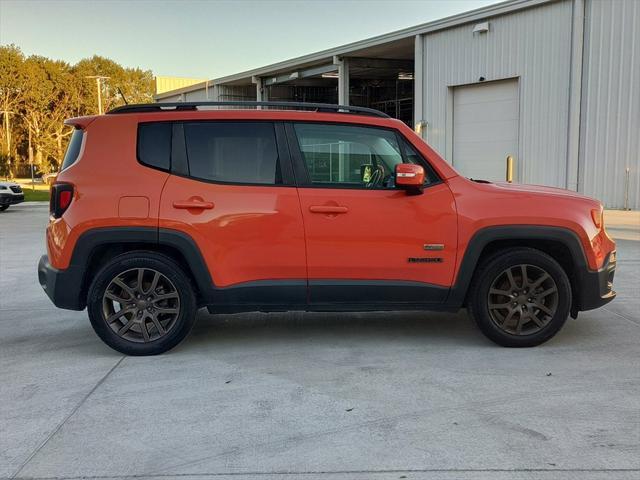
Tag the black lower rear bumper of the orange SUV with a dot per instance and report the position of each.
(61, 286)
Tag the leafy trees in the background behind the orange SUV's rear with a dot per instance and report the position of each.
(40, 93)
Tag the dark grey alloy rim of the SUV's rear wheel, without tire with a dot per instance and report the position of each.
(141, 305)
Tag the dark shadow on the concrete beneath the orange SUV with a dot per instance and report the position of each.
(293, 330)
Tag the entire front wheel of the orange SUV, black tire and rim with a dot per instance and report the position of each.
(498, 322)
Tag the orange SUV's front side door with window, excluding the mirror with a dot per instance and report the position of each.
(369, 243)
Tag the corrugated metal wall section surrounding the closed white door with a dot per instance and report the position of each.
(533, 45)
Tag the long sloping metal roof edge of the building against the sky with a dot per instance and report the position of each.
(350, 48)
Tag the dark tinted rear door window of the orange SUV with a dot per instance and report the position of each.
(233, 152)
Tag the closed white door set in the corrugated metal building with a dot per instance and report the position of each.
(485, 128)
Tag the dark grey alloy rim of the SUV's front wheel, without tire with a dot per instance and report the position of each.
(522, 299)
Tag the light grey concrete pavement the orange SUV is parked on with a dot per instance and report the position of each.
(315, 396)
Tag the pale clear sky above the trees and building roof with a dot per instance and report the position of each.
(206, 38)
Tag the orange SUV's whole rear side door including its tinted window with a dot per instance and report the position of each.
(232, 192)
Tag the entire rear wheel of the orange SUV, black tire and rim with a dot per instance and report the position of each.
(98, 305)
